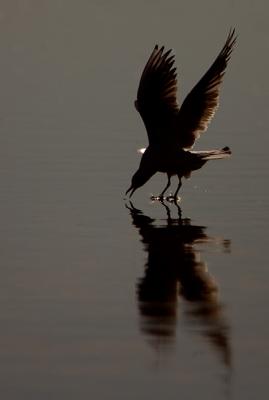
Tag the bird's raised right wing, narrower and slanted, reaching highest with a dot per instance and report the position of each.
(200, 105)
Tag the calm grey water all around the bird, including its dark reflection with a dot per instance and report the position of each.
(105, 299)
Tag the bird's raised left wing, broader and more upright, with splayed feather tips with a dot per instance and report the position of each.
(156, 97)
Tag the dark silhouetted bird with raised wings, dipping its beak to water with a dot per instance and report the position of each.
(173, 130)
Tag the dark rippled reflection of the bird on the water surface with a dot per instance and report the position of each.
(173, 271)
